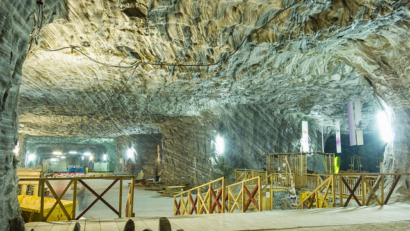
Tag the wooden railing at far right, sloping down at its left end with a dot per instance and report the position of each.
(363, 188)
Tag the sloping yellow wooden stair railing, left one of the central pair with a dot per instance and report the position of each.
(205, 198)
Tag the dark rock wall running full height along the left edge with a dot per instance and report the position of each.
(16, 22)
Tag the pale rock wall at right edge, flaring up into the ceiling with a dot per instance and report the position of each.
(384, 63)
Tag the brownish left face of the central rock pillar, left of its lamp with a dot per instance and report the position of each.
(187, 150)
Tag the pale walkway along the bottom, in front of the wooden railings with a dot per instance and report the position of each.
(390, 217)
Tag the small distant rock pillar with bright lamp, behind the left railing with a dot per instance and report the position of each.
(144, 158)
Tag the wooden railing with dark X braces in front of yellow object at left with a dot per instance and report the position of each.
(75, 181)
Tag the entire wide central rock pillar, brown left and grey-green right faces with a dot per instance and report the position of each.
(249, 132)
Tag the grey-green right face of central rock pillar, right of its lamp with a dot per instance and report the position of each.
(252, 131)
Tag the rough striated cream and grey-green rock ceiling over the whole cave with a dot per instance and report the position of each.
(309, 59)
